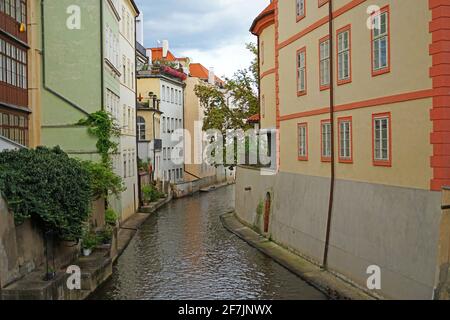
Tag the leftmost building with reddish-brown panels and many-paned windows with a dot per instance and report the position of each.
(19, 114)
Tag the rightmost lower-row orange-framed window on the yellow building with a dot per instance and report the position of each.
(382, 145)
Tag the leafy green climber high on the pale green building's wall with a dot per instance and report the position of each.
(101, 125)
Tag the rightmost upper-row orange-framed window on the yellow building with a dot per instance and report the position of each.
(380, 42)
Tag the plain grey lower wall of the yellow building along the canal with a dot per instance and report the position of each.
(394, 228)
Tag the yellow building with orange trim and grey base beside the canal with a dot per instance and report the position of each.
(363, 137)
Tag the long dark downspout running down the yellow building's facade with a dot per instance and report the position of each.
(333, 158)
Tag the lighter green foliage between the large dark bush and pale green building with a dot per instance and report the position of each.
(104, 181)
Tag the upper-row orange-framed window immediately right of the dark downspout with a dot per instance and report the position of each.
(344, 55)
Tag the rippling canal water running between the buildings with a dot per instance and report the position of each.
(184, 252)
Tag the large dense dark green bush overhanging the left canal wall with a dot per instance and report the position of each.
(47, 185)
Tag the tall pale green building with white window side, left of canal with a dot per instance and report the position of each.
(88, 59)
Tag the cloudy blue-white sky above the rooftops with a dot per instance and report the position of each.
(212, 32)
